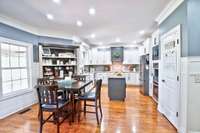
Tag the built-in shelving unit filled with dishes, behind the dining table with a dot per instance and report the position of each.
(57, 61)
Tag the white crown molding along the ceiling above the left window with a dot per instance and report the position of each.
(31, 29)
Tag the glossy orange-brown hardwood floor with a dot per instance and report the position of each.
(137, 114)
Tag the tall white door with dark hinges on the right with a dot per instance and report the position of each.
(170, 74)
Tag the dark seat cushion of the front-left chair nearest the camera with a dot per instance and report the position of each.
(61, 104)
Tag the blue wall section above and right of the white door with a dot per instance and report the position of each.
(179, 16)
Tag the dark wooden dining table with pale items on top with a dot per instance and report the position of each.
(74, 88)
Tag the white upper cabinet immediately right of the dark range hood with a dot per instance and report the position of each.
(131, 56)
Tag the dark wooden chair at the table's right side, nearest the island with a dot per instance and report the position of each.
(92, 96)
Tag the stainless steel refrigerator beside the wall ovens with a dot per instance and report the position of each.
(144, 74)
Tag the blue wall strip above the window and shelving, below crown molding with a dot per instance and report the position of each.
(20, 35)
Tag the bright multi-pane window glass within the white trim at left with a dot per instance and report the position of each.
(14, 68)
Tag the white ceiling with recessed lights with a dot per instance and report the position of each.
(114, 18)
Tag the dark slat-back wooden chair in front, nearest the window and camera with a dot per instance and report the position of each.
(49, 102)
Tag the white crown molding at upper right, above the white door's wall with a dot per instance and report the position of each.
(169, 9)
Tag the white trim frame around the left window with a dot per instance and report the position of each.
(29, 71)
